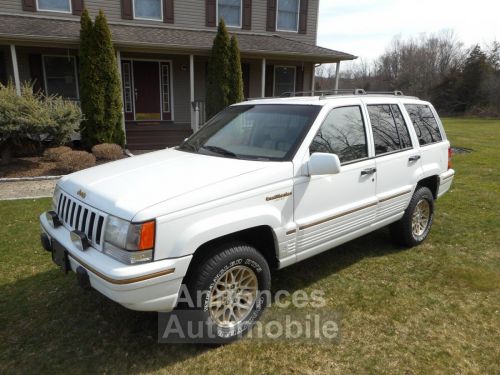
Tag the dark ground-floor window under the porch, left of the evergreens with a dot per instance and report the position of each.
(60, 76)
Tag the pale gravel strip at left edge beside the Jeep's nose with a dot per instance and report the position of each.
(26, 189)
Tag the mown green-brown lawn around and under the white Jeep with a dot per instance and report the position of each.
(431, 309)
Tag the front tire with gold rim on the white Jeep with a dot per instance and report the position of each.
(234, 280)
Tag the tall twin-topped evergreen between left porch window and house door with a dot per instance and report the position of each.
(99, 83)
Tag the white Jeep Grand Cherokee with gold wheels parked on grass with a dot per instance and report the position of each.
(264, 184)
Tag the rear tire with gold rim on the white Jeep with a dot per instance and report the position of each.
(414, 227)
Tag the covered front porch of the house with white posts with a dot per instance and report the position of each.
(163, 71)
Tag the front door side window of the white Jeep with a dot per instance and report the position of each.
(342, 133)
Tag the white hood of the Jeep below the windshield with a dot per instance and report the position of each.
(125, 187)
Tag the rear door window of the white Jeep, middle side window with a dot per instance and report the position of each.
(390, 132)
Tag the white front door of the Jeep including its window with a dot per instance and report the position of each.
(329, 208)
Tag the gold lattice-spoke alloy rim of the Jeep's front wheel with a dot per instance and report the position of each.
(233, 296)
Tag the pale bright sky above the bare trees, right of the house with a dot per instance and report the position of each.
(364, 28)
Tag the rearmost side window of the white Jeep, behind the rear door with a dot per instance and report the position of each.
(425, 123)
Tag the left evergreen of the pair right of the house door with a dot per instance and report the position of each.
(217, 95)
